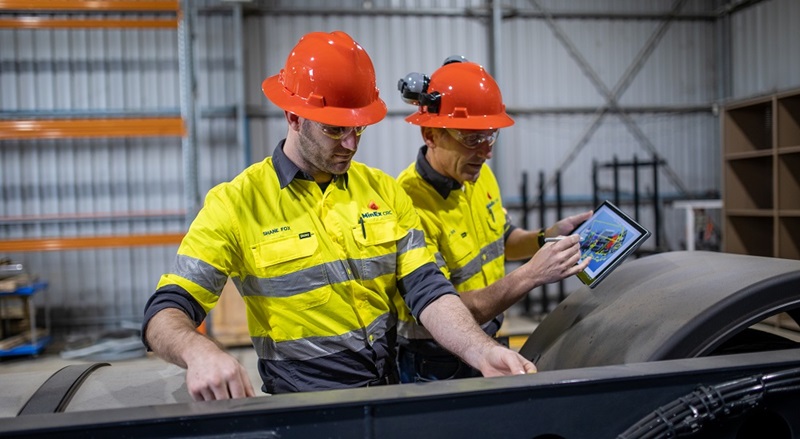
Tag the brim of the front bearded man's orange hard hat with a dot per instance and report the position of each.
(347, 117)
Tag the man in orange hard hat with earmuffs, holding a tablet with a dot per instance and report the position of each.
(458, 200)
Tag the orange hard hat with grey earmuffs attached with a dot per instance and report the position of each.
(460, 95)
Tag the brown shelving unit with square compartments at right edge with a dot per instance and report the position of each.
(761, 169)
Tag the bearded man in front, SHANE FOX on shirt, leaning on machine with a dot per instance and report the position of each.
(320, 247)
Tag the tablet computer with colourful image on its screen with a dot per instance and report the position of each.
(609, 237)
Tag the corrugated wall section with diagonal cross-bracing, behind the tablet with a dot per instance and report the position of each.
(559, 73)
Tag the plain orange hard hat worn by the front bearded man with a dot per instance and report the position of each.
(328, 78)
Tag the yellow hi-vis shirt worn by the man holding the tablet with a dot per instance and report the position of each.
(464, 229)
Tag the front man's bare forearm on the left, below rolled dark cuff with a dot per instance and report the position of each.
(174, 338)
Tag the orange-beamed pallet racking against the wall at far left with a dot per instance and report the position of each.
(93, 15)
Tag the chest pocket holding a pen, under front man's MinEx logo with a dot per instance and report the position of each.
(377, 241)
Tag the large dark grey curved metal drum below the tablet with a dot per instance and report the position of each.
(664, 306)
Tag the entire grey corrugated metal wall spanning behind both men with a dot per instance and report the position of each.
(554, 61)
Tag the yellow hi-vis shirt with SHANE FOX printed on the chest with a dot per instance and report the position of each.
(318, 271)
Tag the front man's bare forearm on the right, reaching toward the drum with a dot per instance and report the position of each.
(454, 328)
